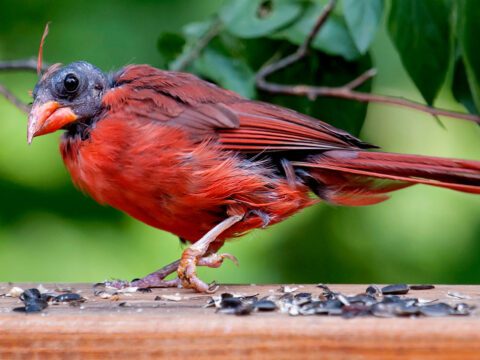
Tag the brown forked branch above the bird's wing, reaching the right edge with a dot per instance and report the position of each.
(346, 91)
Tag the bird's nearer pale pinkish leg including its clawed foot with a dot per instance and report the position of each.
(195, 255)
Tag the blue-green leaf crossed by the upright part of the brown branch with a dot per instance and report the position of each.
(333, 38)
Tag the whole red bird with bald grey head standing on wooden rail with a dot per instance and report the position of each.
(199, 161)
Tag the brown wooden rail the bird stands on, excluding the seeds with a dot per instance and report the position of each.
(185, 329)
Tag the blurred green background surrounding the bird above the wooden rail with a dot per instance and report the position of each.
(50, 232)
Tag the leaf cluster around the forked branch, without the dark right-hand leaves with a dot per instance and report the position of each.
(253, 33)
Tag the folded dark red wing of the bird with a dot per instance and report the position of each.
(206, 111)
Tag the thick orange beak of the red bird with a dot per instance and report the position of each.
(47, 118)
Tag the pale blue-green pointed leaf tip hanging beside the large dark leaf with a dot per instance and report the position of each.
(362, 19)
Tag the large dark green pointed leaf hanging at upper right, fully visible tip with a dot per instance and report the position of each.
(420, 31)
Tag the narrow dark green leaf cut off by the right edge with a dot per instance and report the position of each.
(469, 41)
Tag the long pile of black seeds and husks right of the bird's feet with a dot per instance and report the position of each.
(330, 303)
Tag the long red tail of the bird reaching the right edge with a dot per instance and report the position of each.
(357, 178)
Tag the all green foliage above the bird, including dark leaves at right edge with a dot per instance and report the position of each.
(248, 34)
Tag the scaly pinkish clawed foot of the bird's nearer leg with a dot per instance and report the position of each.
(187, 269)
